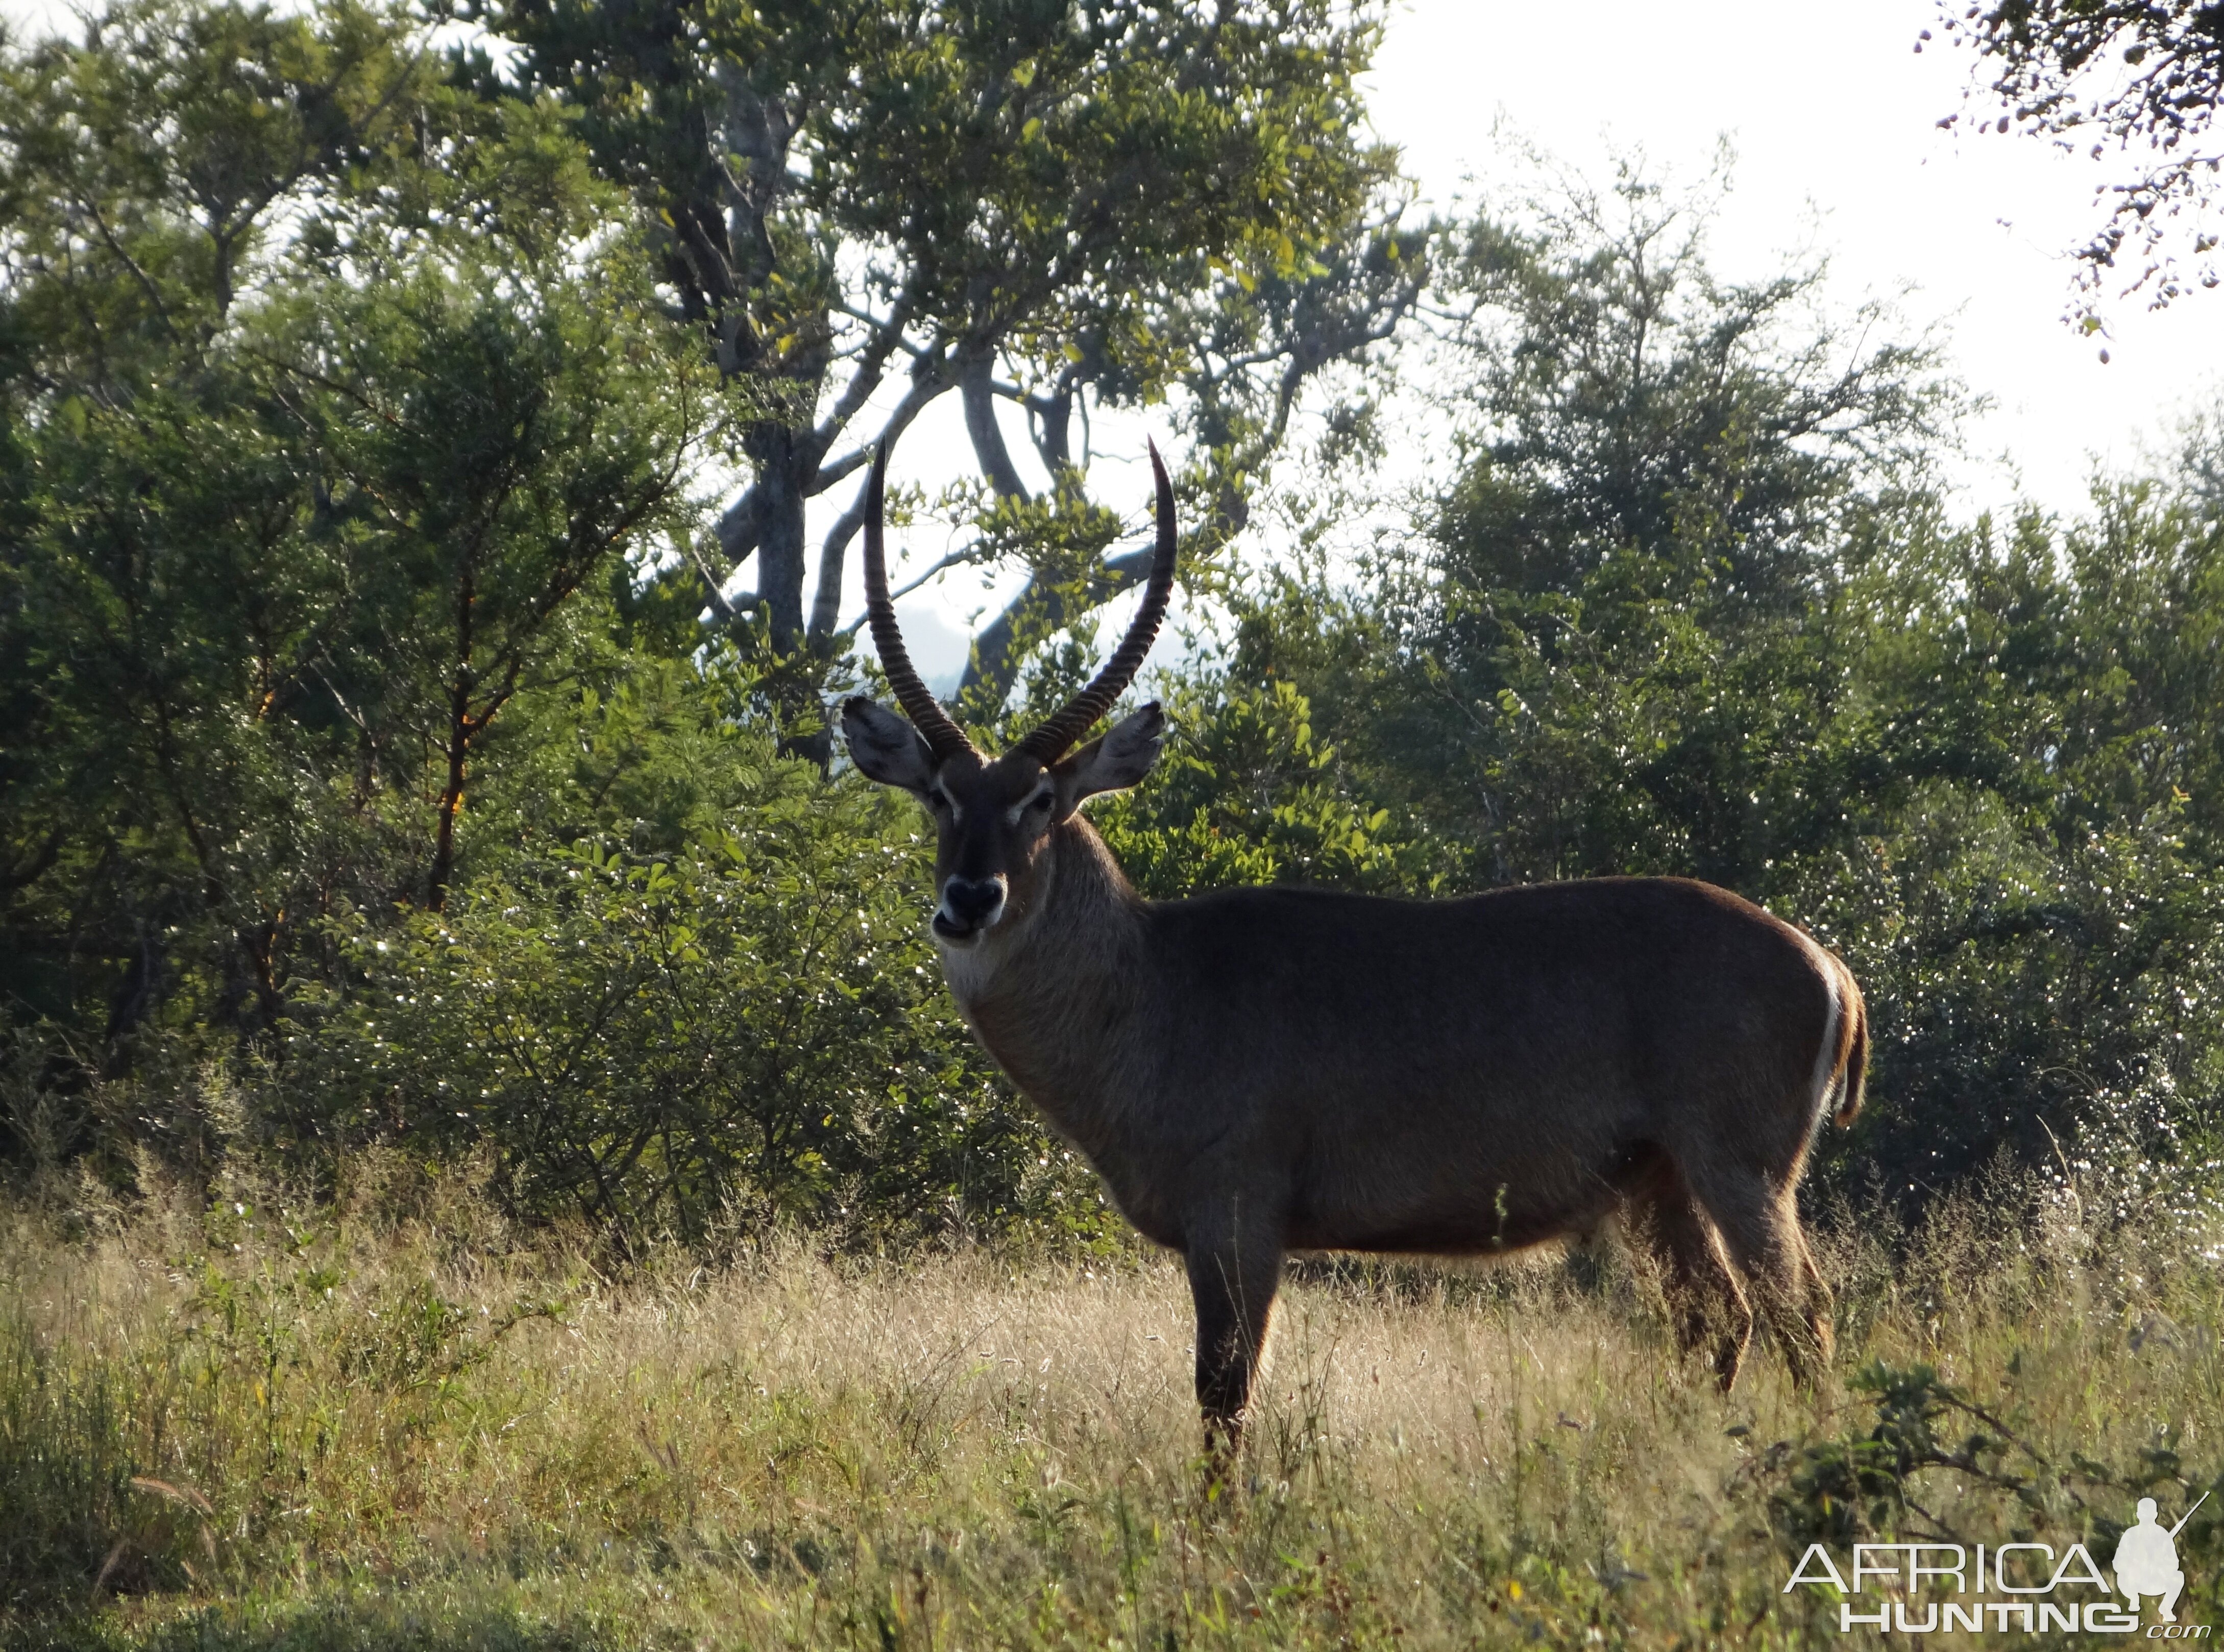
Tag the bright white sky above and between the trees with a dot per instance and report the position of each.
(1838, 152)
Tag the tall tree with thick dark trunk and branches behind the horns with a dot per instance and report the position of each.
(1031, 203)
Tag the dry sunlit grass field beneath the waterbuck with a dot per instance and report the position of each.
(248, 1426)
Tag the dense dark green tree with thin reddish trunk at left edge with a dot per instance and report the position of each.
(330, 410)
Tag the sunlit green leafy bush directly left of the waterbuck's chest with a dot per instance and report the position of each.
(686, 1022)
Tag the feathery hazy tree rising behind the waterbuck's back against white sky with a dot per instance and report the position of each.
(1660, 475)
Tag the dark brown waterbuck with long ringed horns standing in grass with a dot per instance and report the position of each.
(1271, 1071)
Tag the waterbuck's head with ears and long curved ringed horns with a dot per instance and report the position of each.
(997, 815)
